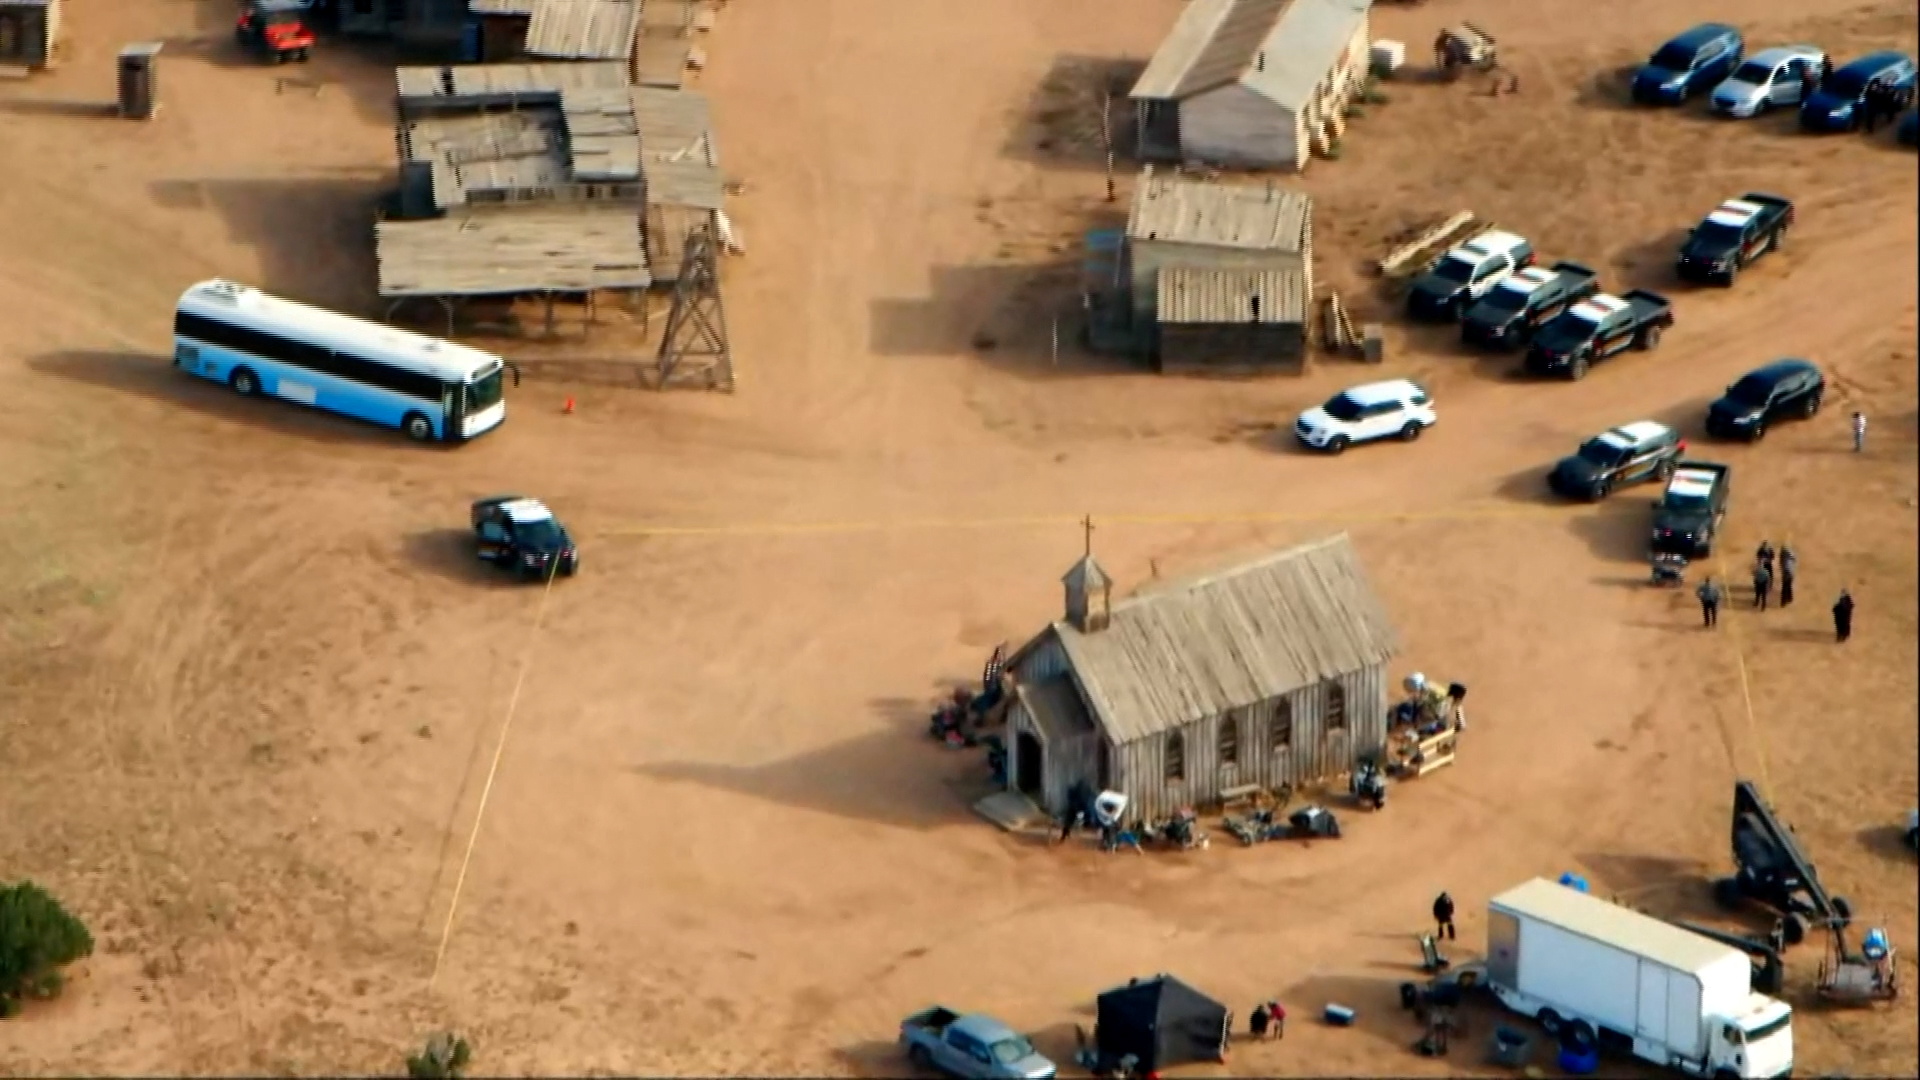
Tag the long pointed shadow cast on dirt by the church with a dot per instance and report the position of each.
(894, 775)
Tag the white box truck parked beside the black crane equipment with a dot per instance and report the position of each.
(1635, 985)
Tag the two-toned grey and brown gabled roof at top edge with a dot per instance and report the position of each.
(1276, 49)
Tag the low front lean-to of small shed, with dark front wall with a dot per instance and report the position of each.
(1216, 320)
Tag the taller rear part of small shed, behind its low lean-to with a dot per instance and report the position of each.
(1186, 224)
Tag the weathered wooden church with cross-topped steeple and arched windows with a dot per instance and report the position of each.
(1262, 675)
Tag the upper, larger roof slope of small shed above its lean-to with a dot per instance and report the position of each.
(1226, 216)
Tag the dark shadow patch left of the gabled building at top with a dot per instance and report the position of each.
(1065, 122)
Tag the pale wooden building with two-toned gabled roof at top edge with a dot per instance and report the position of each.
(1253, 84)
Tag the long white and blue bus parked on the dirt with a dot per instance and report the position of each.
(262, 345)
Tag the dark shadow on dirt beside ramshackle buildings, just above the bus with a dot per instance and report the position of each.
(314, 235)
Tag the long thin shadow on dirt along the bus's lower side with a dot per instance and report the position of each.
(153, 378)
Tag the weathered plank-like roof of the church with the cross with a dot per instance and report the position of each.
(1230, 641)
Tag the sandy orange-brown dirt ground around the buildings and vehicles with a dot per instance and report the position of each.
(252, 685)
